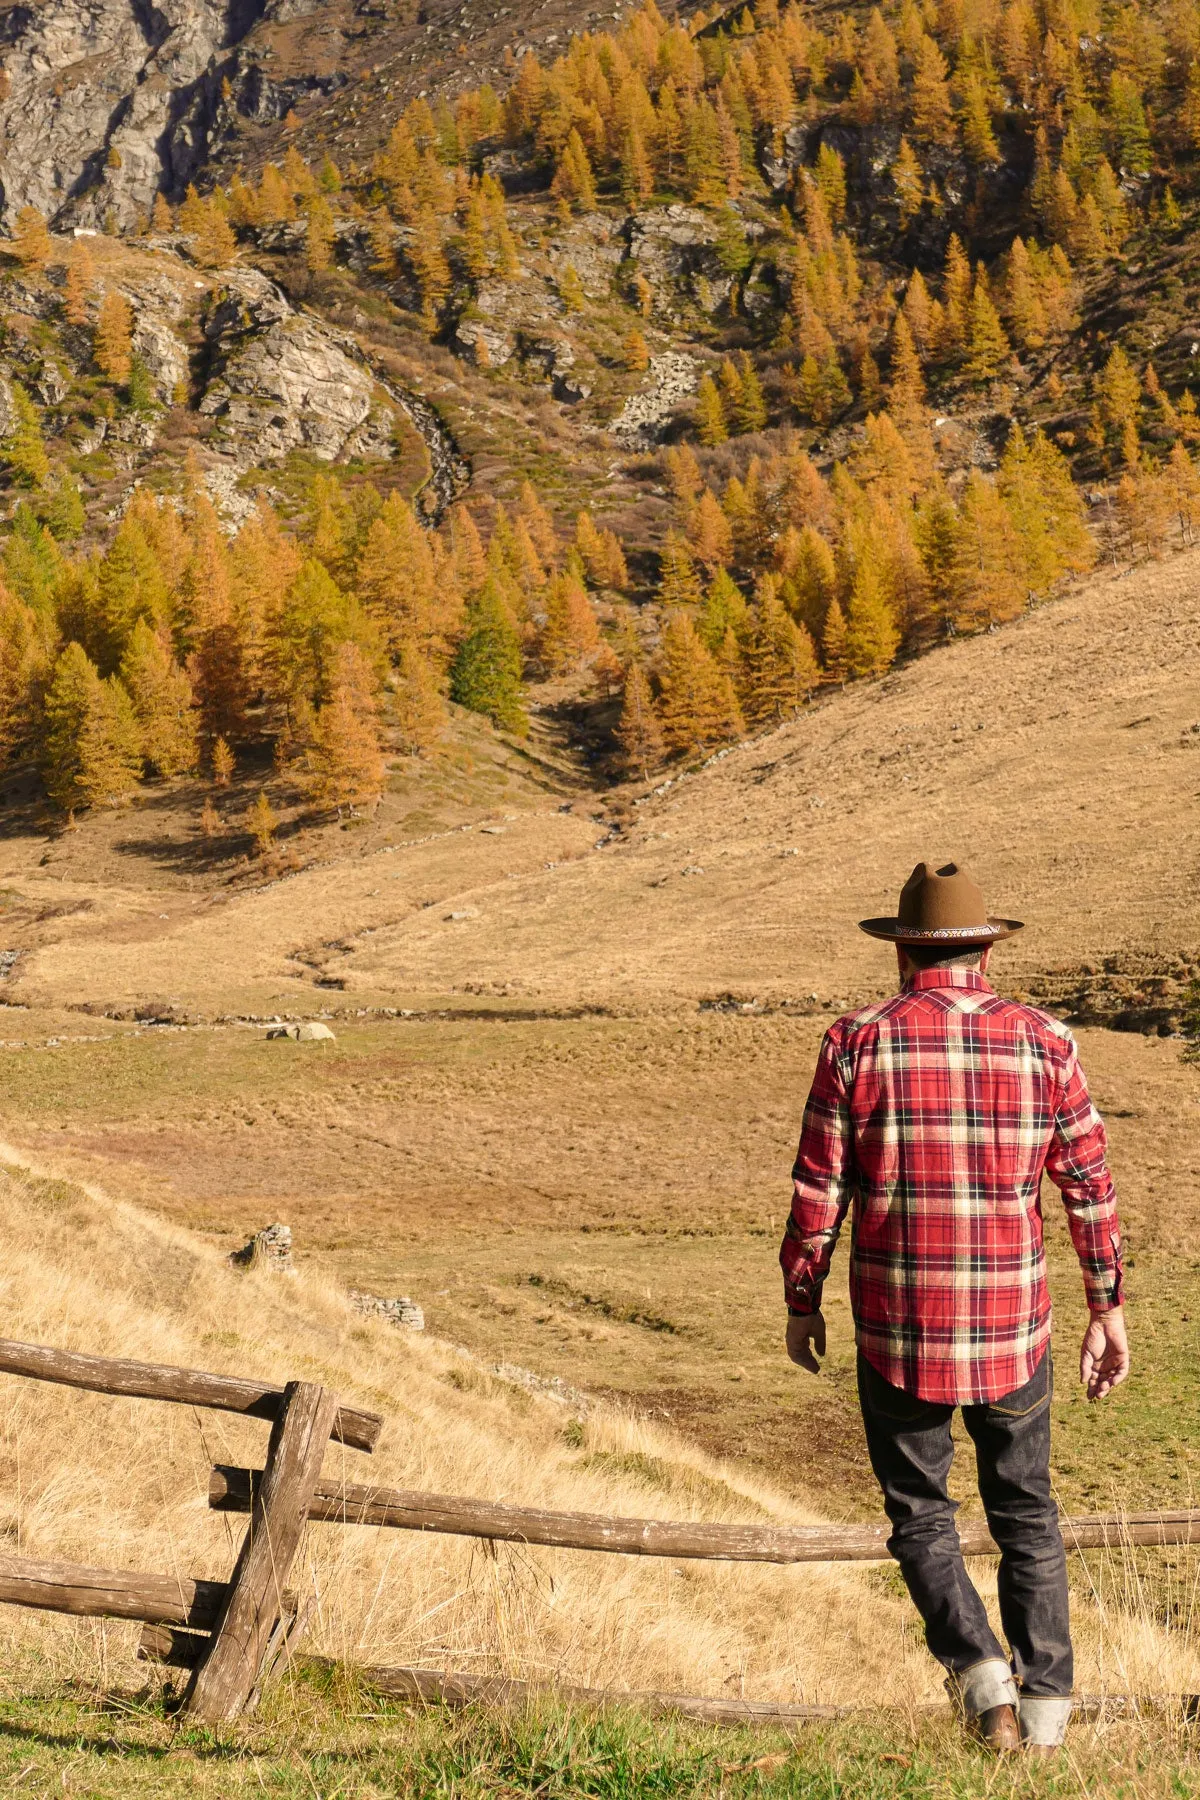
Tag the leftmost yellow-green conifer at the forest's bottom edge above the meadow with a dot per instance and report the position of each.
(91, 751)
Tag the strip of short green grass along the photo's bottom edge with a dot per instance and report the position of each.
(330, 1740)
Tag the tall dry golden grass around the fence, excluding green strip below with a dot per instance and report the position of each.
(123, 1482)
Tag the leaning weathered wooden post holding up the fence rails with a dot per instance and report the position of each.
(229, 1671)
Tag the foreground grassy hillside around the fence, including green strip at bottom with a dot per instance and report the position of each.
(123, 1482)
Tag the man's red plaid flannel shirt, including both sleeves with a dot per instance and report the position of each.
(936, 1113)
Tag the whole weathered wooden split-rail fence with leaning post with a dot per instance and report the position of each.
(229, 1635)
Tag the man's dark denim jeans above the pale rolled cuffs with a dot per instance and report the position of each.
(911, 1453)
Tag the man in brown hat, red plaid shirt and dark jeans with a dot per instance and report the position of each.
(936, 1113)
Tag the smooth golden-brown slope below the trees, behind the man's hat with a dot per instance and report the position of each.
(1057, 757)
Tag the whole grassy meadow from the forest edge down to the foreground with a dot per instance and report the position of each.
(560, 1111)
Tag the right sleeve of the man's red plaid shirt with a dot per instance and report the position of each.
(1079, 1165)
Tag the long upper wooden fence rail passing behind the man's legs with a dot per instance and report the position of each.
(406, 1509)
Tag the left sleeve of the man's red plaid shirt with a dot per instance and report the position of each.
(821, 1185)
